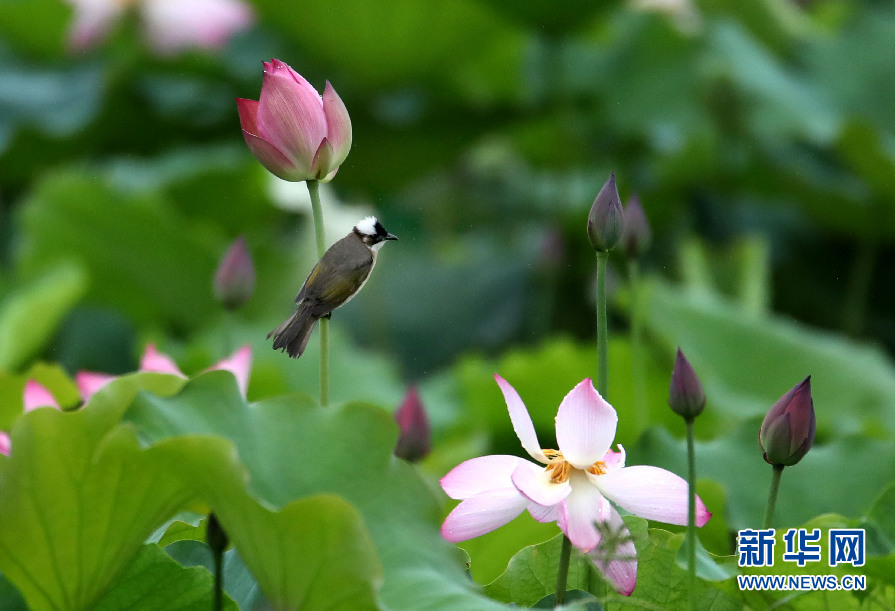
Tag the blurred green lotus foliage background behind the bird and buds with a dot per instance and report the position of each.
(760, 137)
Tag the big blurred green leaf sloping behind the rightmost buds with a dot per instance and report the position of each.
(746, 362)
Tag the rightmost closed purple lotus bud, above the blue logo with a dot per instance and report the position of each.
(788, 429)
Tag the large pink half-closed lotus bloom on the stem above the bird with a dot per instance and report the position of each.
(295, 132)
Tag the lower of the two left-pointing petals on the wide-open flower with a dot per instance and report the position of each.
(482, 514)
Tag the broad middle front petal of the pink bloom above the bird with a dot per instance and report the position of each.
(290, 115)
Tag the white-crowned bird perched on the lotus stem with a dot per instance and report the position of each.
(339, 275)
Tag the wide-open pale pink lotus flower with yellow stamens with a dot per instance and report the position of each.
(573, 485)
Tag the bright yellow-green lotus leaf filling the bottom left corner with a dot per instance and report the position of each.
(79, 496)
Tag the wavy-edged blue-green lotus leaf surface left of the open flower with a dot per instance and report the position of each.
(294, 448)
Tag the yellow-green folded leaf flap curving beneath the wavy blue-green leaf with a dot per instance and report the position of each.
(313, 553)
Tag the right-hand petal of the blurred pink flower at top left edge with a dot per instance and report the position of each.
(173, 25)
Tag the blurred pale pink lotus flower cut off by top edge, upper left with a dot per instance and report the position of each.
(169, 26)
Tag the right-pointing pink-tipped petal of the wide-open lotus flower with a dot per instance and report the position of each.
(651, 493)
